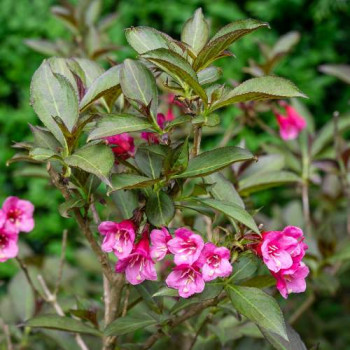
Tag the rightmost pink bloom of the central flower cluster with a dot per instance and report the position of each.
(214, 262)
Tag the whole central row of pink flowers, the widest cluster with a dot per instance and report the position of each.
(196, 262)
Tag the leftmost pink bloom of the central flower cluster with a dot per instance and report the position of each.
(119, 237)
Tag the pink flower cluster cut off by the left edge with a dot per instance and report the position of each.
(16, 215)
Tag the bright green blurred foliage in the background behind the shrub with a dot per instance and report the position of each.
(324, 26)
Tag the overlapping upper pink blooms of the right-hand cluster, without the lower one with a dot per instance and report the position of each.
(282, 249)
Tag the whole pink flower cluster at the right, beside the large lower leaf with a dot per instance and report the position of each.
(282, 252)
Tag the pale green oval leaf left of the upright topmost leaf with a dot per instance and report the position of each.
(143, 39)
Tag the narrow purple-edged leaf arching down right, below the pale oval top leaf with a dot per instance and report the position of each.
(177, 67)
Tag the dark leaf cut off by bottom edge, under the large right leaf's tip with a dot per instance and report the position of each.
(279, 343)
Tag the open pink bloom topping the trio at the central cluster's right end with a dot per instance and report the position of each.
(186, 246)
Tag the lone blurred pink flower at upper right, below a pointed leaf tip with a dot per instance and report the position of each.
(291, 124)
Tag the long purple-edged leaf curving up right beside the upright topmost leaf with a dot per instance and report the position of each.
(223, 39)
